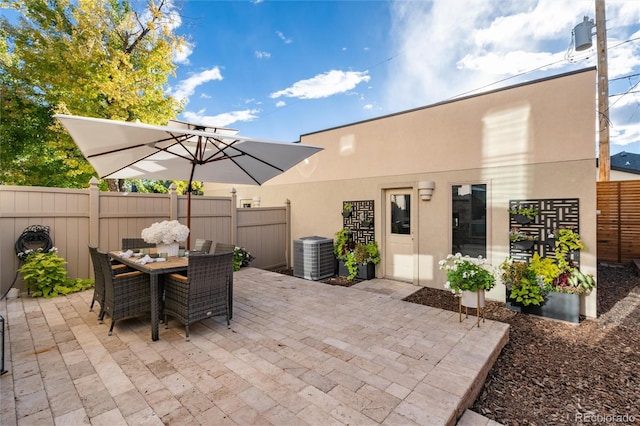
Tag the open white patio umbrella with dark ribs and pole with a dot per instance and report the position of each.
(128, 150)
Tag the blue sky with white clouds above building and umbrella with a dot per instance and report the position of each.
(280, 69)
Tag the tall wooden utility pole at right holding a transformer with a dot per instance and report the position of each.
(603, 93)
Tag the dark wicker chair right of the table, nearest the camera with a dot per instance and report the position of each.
(202, 294)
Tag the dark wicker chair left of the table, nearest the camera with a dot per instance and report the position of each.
(126, 294)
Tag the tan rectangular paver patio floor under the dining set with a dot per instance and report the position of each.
(298, 353)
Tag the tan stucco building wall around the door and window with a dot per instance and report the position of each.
(529, 141)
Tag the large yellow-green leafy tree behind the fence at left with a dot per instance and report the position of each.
(96, 58)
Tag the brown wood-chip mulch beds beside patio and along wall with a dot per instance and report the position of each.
(552, 372)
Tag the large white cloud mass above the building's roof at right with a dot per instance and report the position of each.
(449, 47)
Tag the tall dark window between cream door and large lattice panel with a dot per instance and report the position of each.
(469, 221)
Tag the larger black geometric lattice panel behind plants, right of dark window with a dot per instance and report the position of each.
(553, 214)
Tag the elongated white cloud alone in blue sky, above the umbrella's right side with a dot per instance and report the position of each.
(324, 85)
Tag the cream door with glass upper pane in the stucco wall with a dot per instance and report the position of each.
(399, 230)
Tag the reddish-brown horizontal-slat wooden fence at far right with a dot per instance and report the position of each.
(618, 204)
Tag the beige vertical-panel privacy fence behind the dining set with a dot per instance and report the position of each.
(80, 217)
